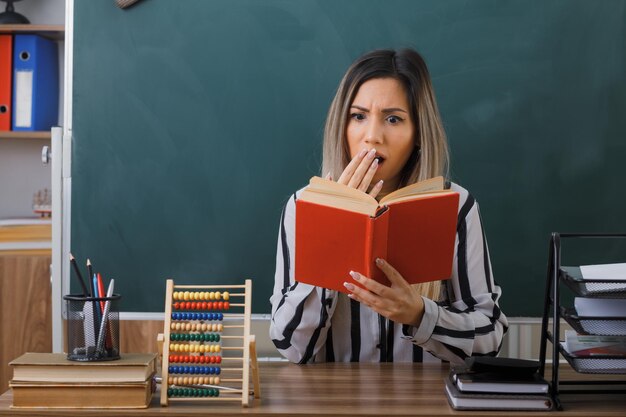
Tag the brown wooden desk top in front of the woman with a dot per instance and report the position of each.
(341, 389)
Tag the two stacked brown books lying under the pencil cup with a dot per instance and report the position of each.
(50, 380)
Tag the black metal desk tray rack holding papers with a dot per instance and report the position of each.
(555, 310)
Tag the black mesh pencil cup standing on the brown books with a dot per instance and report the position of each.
(93, 328)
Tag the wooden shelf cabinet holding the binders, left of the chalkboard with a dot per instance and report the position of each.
(25, 303)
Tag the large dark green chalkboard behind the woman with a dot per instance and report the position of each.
(194, 121)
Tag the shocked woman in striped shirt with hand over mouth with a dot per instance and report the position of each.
(383, 132)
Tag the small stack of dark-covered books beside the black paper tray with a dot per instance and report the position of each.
(486, 383)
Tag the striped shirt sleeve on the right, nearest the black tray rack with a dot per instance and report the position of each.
(468, 321)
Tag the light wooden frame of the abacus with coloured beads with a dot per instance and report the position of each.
(248, 359)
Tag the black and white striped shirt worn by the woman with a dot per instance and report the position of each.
(312, 324)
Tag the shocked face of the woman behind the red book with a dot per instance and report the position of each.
(380, 118)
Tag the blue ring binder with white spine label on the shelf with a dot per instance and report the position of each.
(35, 83)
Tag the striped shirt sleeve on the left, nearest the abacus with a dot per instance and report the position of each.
(301, 313)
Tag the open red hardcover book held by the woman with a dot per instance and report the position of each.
(339, 229)
